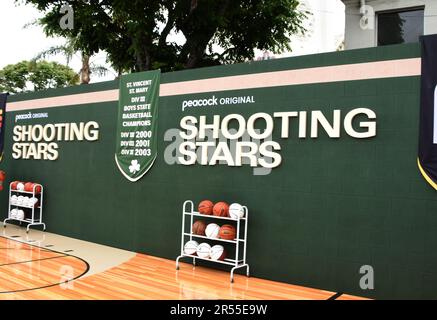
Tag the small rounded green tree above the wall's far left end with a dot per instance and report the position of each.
(36, 75)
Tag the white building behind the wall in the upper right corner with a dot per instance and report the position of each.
(372, 23)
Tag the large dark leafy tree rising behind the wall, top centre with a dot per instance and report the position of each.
(135, 33)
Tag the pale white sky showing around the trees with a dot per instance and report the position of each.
(325, 25)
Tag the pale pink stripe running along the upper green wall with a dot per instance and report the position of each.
(338, 73)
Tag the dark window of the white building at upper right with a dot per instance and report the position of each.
(400, 26)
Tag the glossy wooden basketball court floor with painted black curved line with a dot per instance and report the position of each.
(31, 268)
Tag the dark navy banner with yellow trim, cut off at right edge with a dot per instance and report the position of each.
(427, 159)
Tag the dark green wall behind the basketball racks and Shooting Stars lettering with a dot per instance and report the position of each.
(331, 207)
